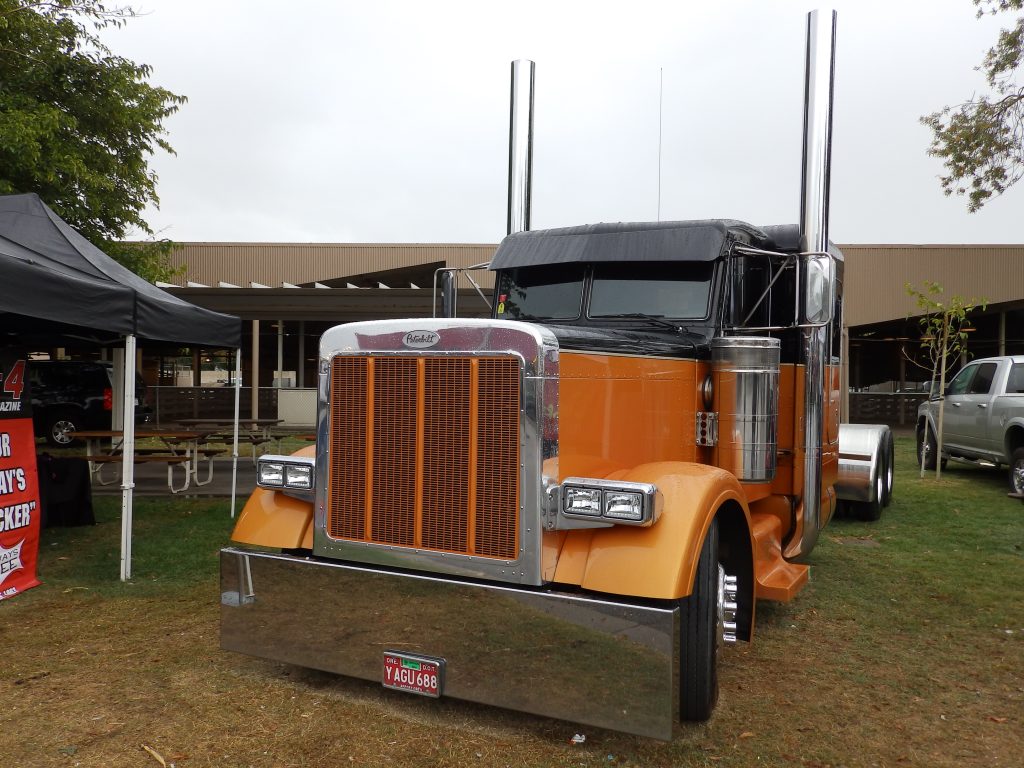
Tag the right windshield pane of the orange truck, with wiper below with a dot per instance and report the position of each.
(659, 289)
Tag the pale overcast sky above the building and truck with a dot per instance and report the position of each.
(380, 121)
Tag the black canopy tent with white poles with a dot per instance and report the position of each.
(53, 280)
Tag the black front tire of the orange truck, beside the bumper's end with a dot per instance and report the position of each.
(699, 656)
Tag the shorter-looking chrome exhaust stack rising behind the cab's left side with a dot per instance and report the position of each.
(522, 147)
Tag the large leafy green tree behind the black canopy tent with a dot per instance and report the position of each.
(79, 124)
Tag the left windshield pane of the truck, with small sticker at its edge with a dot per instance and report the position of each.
(551, 293)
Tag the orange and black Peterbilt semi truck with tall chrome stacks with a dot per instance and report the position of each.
(570, 507)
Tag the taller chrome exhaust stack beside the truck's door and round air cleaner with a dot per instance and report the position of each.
(819, 92)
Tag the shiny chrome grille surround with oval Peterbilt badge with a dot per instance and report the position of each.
(538, 352)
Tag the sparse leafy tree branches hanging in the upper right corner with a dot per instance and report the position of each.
(982, 142)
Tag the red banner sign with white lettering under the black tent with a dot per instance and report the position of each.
(20, 509)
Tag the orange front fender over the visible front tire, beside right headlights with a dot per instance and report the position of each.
(659, 562)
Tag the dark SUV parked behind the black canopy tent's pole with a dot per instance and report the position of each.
(69, 396)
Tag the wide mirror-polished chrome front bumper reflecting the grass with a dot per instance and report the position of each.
(578, 659)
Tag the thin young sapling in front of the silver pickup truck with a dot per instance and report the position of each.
(944, 339)
